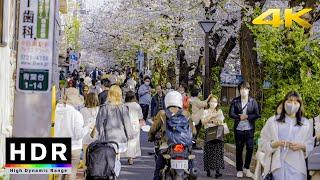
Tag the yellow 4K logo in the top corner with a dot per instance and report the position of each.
(289, 16)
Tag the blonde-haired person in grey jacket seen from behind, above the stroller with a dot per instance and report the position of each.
(113, 120)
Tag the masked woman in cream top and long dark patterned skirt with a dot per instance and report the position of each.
(213, 150)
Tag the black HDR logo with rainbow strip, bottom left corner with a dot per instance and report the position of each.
(38, 155)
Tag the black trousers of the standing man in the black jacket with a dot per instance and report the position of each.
(244, 138)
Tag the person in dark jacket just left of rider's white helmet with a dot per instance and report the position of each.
(157, 102)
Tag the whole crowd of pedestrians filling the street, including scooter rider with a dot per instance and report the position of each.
(115, 105)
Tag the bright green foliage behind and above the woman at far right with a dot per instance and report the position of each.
(291, 63)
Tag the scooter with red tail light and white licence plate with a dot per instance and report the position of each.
(179, 164)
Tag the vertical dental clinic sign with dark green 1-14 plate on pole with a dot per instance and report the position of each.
(35, 46)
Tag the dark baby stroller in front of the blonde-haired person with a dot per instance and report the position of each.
(102, 161)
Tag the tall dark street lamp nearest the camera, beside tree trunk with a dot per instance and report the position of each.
(207, 26)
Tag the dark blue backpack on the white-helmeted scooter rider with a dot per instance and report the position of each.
(178, 130)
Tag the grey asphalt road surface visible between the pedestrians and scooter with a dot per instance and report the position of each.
(143, 167)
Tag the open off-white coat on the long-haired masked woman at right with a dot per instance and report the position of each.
(269, 134)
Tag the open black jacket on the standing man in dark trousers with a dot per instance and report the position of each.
(252, 111)
